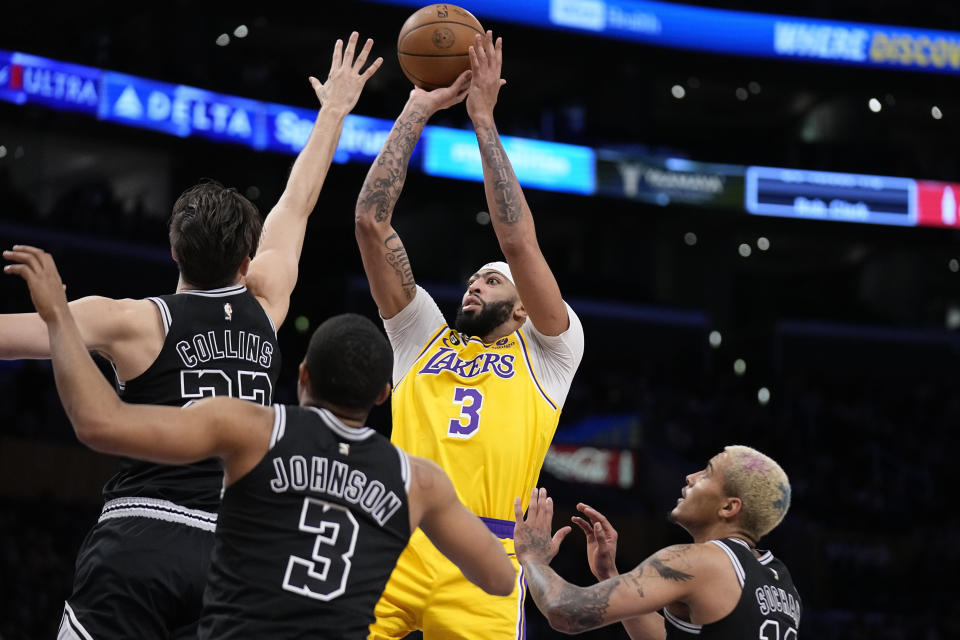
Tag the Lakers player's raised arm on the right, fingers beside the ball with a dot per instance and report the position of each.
(509, 212)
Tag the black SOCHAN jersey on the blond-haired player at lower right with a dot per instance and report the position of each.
(769, 605)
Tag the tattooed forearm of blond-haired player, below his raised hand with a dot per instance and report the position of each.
(569, 608)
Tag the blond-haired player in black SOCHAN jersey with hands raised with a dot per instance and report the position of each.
(721, 587)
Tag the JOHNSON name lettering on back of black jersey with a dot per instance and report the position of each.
(335, 479)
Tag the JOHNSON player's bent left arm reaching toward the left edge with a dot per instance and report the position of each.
(104, 422)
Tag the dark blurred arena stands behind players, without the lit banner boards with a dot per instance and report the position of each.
(851, 329)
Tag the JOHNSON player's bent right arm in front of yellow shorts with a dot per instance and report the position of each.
(456, 532)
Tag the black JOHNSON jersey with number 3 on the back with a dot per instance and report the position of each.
(306, 541)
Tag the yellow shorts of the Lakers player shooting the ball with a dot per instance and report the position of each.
(427, 592)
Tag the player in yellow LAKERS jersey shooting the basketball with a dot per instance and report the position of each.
(482, 398)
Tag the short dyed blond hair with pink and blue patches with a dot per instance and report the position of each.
(761, 484)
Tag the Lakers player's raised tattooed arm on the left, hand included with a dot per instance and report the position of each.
(384, 257)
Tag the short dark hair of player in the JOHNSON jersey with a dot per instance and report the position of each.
(349, 361)
